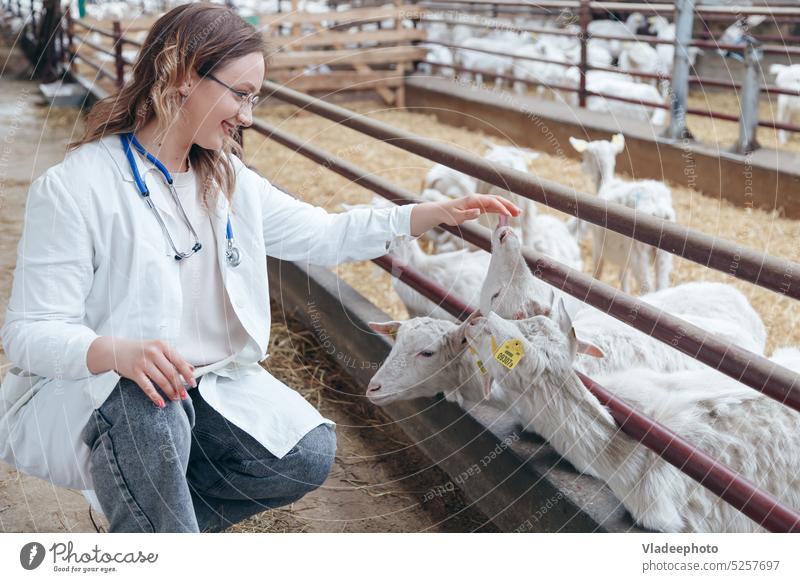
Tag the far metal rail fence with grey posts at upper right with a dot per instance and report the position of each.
(751, 52)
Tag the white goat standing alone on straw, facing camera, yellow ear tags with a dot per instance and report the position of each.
(645, 196)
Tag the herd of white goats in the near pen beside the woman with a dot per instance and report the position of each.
(520, 353)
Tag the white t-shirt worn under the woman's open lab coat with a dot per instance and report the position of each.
(210, 329)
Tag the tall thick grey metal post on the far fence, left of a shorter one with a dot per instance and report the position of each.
(679, 89)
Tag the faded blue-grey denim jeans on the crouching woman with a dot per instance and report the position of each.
(185, 468)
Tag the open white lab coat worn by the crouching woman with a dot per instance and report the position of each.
(93, 261)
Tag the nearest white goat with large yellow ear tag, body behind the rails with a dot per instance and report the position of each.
(754, 435)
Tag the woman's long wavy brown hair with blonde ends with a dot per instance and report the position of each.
(192, 37)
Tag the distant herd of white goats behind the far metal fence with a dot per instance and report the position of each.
(636, 62)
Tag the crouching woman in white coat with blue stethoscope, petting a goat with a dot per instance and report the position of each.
(141, 273)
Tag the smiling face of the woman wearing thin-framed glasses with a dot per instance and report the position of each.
(212, 110)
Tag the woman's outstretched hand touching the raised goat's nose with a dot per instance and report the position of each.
(427, 215)
